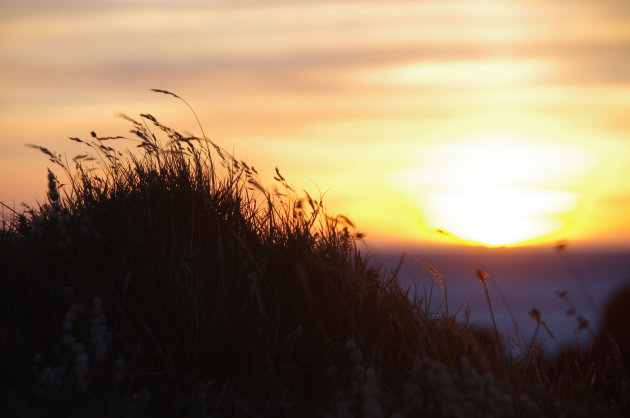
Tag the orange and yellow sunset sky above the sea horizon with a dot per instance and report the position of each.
(496, 122)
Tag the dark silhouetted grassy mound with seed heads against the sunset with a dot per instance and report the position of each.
(168, 281)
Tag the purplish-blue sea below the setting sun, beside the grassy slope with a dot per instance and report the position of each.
(569, 288)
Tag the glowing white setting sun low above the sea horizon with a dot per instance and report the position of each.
(496, 188)
